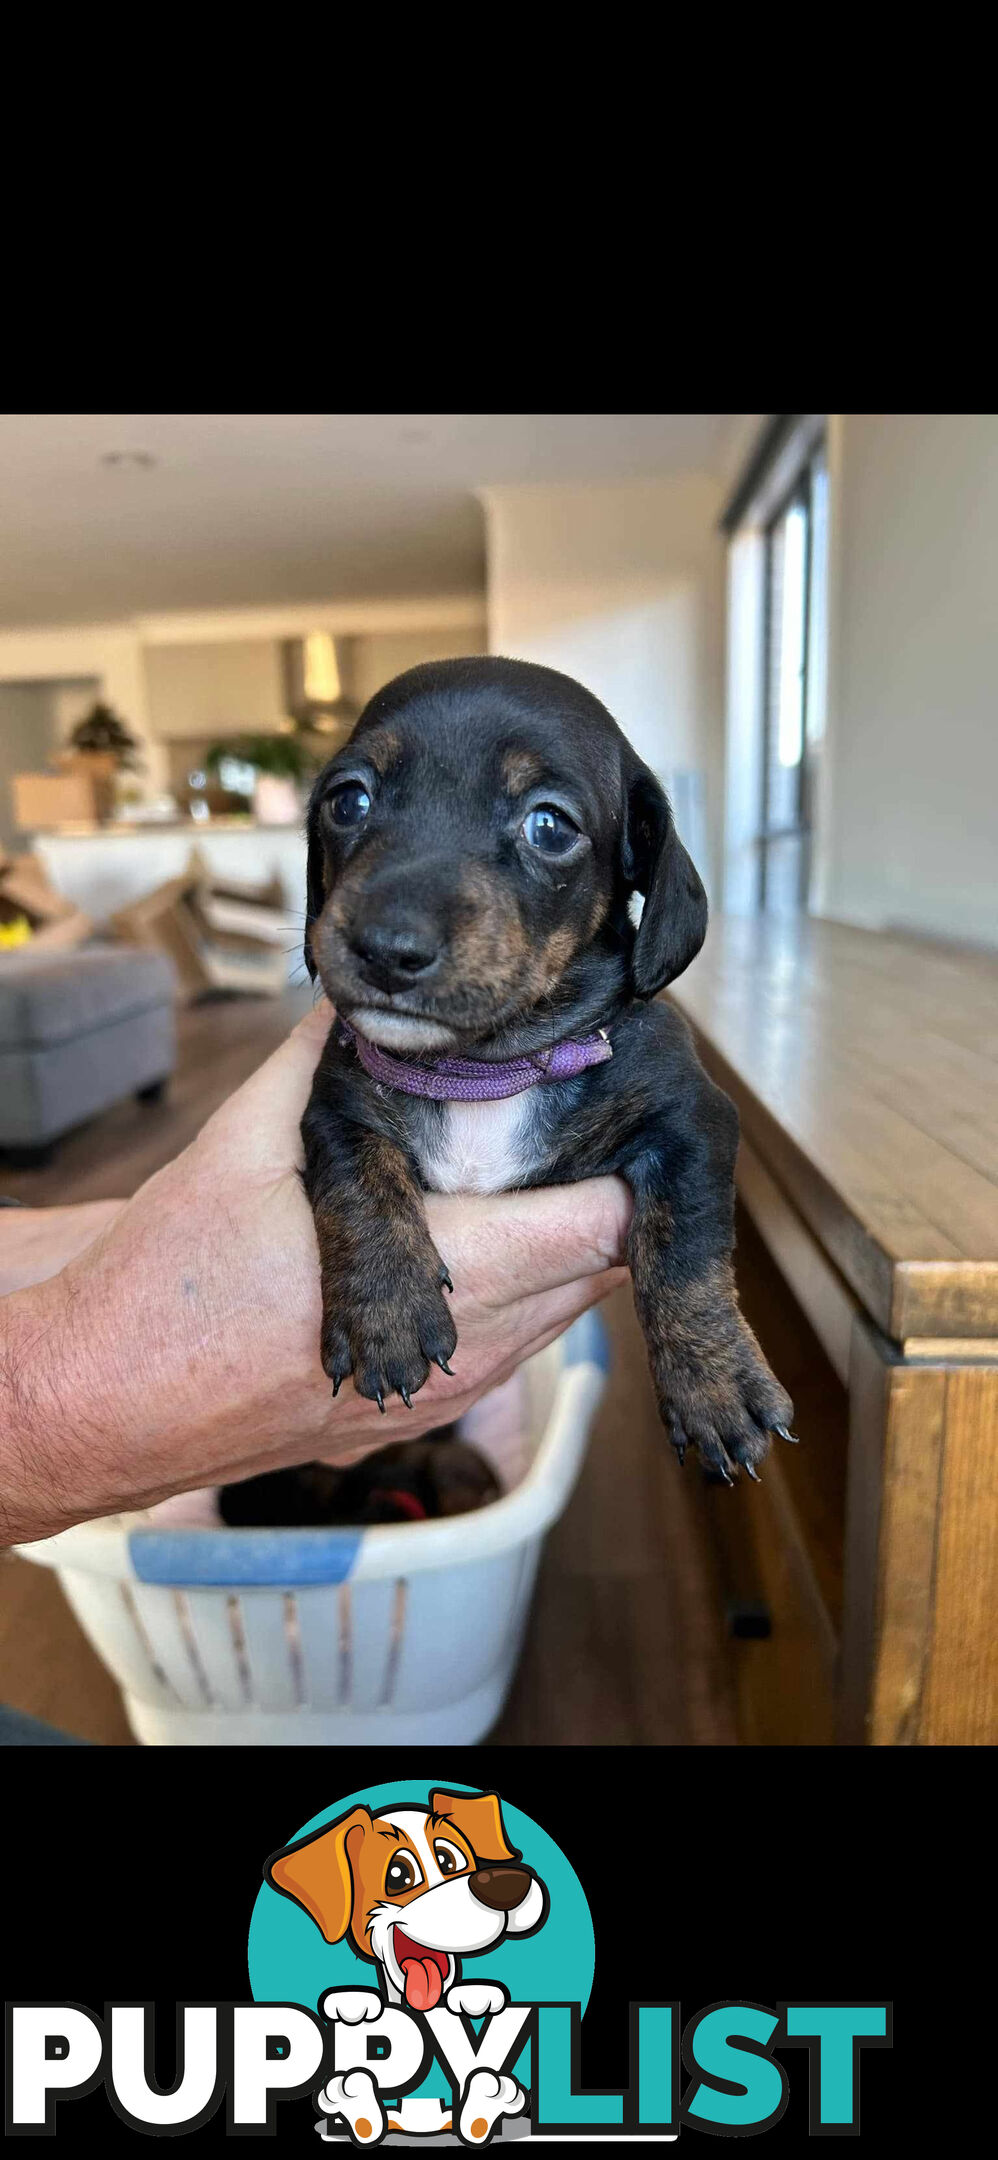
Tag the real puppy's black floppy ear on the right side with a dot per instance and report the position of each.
(675, 904)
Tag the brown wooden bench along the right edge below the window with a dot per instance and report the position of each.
(865, 1070)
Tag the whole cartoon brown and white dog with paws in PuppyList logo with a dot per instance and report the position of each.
(416, 1891)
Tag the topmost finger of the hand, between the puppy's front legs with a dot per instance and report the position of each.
(513, 1245)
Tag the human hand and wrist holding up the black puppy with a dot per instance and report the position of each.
(183, 1347)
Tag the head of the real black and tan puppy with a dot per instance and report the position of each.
(474, 848)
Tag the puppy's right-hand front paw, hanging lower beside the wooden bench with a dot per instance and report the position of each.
(725, 1403)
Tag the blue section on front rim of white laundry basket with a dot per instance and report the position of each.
(265, 1558)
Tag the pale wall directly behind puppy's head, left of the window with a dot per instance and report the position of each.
(623, 589)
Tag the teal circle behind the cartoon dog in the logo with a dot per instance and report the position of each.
(291, 1960)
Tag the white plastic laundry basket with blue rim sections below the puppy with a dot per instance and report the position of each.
(407, 1632)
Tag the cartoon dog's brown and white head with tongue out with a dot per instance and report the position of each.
(414, 1889)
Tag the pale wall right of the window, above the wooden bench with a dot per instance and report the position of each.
(911, 781)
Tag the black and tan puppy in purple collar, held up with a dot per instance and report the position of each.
(472, 861)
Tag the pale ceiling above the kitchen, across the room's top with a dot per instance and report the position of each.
(258, 509)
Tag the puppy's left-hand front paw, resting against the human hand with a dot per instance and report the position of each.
(390, 1332)
